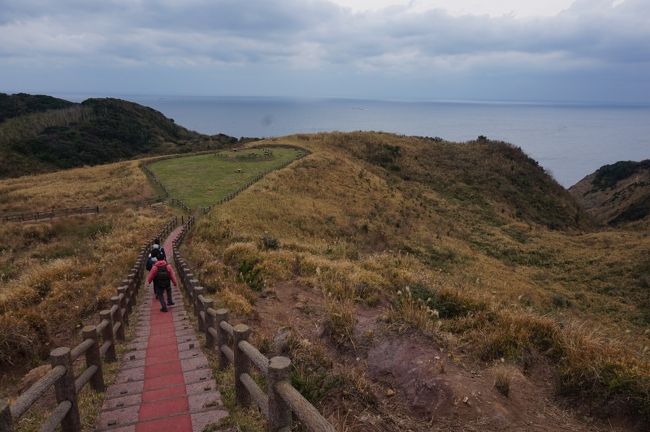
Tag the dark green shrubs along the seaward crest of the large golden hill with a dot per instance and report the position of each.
(481, 173)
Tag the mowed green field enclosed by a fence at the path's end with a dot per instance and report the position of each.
(202, 180)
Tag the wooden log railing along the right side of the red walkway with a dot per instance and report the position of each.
(281, 399)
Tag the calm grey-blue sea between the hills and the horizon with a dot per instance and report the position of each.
(570, 141)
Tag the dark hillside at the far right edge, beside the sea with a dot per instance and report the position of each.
(617, 194)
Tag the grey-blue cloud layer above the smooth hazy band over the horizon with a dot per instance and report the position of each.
(316, 35)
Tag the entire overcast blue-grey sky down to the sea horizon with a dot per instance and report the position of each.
(562, 50)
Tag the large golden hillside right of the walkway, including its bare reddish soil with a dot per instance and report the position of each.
(441, 285)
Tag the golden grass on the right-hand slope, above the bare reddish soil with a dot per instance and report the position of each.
(483, 238)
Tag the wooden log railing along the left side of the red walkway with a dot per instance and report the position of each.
(98, 346)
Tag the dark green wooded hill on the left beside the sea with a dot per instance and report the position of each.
(42, 134)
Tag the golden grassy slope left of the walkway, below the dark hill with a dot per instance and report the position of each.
(55, 274)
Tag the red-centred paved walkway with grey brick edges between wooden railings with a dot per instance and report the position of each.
(164, 383)
